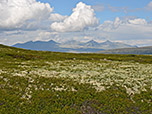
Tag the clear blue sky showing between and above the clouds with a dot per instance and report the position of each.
(134, 7)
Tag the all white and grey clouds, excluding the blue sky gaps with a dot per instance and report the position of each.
(24, 20)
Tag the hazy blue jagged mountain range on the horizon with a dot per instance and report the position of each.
(72, 46)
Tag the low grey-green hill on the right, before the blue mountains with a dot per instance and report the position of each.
(137, 50)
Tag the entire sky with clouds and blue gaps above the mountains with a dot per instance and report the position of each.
(127, 21)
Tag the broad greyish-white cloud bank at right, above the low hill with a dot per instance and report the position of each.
(127, 30)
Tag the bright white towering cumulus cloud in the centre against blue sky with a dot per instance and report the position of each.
(82, 17)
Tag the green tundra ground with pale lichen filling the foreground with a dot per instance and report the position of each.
(41, 82)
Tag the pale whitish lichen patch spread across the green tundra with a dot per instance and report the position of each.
(100, 74)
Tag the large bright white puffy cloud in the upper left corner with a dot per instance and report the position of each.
(13, 13)
